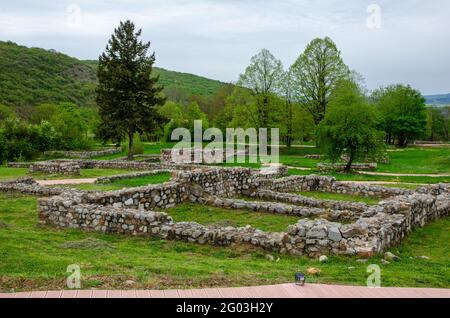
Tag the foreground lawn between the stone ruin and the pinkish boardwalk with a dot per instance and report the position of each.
(33, 257)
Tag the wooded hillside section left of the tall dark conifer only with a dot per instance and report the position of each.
(30, 76)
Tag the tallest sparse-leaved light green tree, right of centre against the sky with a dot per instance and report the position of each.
(316, 73)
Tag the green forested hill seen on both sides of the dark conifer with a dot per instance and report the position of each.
(32, 76)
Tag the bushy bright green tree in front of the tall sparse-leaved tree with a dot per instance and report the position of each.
(350, 126)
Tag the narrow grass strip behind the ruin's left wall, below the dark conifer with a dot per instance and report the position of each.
(124, 183)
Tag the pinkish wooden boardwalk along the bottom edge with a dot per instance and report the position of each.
(275, 291)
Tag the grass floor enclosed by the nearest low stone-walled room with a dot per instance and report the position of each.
(207, 215)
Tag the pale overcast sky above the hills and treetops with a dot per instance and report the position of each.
(409, 42)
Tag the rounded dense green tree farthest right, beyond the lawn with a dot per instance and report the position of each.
(403, 113)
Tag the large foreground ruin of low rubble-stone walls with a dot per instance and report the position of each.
(325, 227)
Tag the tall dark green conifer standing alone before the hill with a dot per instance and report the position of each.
(127, 95)
